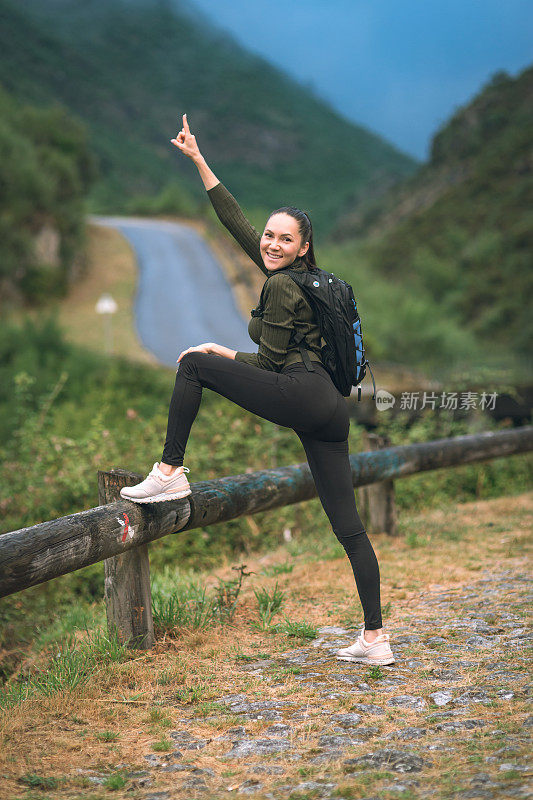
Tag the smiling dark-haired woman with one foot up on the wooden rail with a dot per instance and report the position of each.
(275, 384)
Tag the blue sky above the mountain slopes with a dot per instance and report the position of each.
(400, 68)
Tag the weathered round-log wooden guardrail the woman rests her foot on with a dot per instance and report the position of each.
(119, 531)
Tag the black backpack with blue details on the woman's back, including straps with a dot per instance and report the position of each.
(335, 310)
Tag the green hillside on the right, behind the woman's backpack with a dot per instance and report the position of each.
(459, 233)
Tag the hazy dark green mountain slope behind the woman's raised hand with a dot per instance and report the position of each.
(129, 70)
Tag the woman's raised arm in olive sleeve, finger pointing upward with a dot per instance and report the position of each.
(226, 207)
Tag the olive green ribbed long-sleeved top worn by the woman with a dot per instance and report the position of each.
(285, 308)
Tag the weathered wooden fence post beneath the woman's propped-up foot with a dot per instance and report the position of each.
(127, 576)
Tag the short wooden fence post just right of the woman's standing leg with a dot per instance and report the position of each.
(377, 505)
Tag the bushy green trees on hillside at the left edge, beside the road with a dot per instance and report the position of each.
(46, 170)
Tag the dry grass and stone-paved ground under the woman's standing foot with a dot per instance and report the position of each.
(243, 711)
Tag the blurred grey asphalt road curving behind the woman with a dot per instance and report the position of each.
(183, 298)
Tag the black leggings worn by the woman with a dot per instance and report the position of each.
(307, 402)
